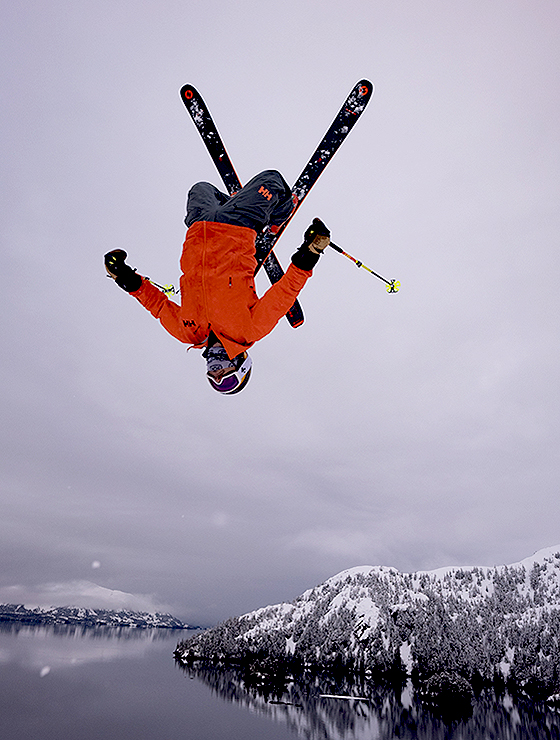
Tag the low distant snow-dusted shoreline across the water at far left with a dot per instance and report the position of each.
(72, 615)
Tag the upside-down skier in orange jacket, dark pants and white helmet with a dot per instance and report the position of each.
(220, 310)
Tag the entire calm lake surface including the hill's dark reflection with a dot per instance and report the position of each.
(125, 684)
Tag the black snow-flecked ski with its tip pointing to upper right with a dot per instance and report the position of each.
(353, 107)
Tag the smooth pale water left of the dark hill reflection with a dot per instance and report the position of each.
(109, 687)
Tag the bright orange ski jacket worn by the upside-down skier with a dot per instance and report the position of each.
(218, 290)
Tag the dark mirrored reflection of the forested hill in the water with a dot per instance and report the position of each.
(382, 713)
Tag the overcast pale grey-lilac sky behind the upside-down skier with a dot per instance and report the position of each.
(415, 430)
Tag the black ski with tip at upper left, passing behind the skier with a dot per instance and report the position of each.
(210, 136)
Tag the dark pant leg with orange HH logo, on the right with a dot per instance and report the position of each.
(266, 199)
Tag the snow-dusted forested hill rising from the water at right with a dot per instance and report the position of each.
(480, 623)
